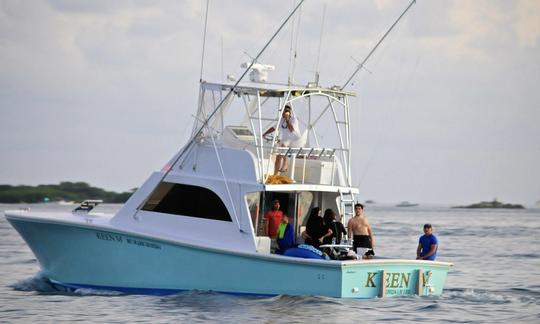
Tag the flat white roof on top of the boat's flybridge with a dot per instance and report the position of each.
(275, 90)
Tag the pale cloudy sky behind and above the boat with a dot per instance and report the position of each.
(447, 110)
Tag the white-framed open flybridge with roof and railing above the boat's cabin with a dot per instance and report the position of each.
(251, 119)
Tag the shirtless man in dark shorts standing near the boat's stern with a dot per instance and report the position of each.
(360, 230)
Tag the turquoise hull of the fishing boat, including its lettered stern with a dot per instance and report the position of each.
(90, 257)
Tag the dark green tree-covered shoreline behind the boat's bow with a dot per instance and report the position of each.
(68, 191)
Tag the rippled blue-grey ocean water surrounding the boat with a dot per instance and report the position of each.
(495, 279)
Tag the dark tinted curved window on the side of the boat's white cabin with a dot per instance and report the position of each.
(186, 200)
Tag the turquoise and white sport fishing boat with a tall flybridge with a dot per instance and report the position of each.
(198, 223)
